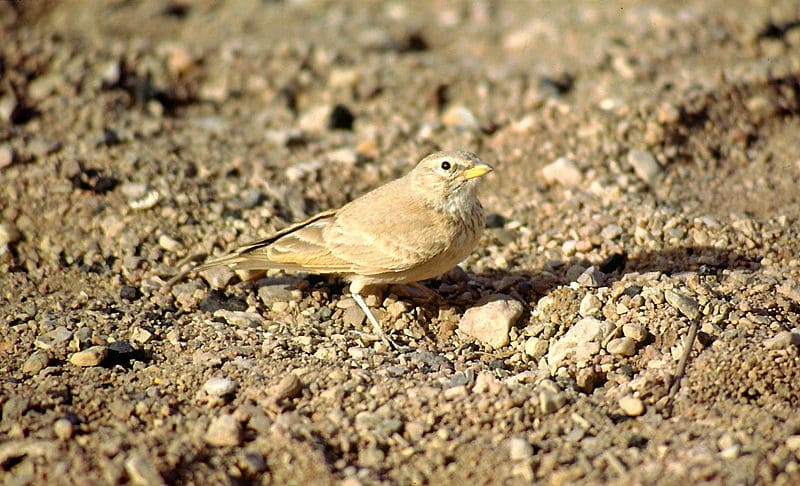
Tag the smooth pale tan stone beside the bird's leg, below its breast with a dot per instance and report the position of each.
(490, 323)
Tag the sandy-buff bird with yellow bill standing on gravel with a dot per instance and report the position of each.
(413, 228)
